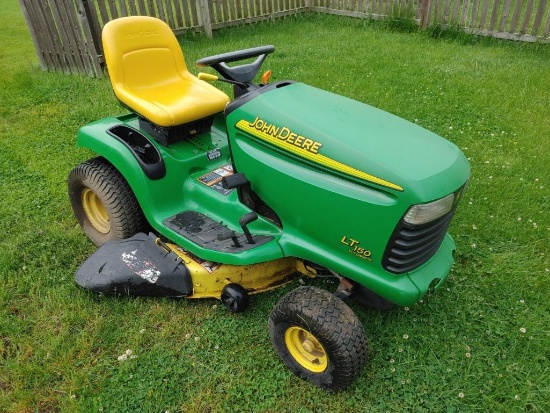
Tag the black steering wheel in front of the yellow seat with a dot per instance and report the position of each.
(244, 73)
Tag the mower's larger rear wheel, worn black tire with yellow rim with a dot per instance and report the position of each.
(103, 202)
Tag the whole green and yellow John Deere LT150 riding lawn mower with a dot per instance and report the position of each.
(196, 195)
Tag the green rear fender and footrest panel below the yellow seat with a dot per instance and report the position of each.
(180, 189)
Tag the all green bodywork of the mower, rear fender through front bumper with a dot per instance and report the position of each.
(329, 216)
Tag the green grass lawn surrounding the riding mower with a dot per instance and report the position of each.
(481, 343)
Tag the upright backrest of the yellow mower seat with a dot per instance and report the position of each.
(141, 52)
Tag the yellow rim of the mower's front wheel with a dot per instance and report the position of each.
(306, 349)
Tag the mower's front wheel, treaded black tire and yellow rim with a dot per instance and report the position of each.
(318, 337)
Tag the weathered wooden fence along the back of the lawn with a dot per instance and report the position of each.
(66, 33)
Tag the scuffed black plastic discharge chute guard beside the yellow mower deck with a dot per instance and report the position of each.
(135, 266)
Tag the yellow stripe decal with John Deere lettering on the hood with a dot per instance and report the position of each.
(307, 149)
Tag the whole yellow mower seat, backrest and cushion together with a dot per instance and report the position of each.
(149, 75)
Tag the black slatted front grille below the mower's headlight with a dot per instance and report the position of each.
(412, 245)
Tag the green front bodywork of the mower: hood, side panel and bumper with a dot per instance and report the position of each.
(339, 221)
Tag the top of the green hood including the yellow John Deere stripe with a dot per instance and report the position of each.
(354, 140)
